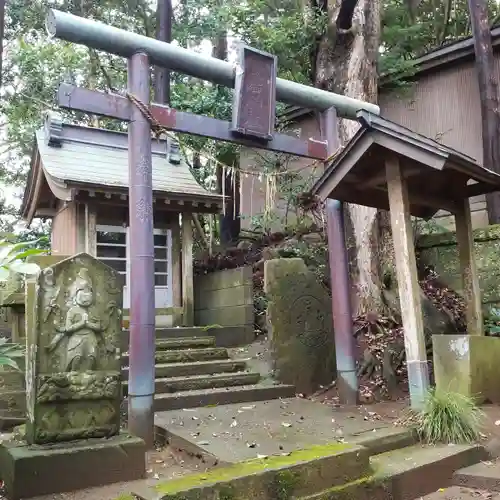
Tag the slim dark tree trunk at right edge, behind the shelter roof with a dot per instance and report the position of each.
(488, 95)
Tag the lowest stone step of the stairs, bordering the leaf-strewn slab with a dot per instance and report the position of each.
(222, 396)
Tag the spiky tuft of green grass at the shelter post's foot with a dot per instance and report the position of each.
(447, 417)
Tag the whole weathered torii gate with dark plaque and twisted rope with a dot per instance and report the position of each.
(256, 90)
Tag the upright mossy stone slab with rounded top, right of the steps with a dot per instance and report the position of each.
(301, 325)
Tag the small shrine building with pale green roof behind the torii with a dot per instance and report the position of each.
(79, 179)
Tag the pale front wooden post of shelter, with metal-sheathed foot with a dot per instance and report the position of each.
(409, 288)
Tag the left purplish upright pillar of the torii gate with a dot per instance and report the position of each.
(141, 386)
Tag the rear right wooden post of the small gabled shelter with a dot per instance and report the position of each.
(472, 292)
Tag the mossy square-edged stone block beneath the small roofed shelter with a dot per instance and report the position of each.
(469, 365)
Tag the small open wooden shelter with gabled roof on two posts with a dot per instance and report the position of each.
(389, 167)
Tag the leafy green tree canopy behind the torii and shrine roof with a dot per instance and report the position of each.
(34, 65)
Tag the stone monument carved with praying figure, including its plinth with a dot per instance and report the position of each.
(73, 386)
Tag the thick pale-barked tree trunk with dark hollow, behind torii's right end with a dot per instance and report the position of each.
(345, 63)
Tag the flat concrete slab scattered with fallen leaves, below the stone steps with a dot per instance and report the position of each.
(237, 432)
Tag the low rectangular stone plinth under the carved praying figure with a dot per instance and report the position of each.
(32, 470)
